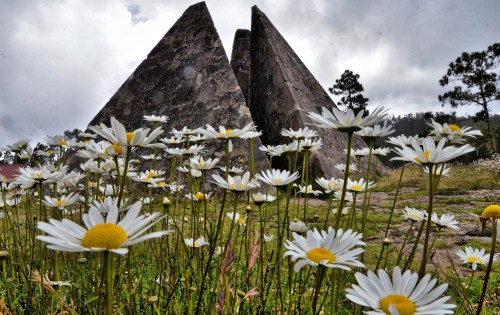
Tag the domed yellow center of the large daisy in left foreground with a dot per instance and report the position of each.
(104, 235)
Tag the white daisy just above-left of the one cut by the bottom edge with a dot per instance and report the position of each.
(332, 249)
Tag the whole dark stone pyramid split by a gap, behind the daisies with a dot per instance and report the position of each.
(187, 76)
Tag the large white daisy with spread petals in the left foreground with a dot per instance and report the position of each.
(99, 233)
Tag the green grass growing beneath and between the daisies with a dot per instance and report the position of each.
(164, 274)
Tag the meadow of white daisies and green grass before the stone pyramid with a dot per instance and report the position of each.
(116, 233)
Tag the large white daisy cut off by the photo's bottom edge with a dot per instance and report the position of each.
(403, 295)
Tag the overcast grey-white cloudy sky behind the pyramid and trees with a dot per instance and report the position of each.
(61, 61)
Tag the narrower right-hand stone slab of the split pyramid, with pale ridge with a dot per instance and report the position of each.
(282, 91)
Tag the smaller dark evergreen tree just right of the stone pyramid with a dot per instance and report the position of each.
(349, 88)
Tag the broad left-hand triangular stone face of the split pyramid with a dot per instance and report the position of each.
(187, 77)
